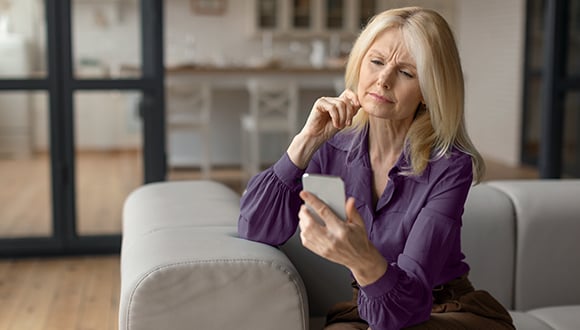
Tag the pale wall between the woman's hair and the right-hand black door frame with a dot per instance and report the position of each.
(491, 36)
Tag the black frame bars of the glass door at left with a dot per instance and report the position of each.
(61, 86)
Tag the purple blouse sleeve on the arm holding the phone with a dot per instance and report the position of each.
(402, 296)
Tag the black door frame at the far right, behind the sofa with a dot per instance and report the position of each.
(555, 84)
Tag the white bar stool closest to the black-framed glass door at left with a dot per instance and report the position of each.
(189, 109)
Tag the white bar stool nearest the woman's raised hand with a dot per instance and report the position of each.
(273, 109)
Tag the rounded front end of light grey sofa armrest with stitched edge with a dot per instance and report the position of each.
(208, 278)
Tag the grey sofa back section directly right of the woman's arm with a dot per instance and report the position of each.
(488, 241)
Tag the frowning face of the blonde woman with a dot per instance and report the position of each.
(388, 85)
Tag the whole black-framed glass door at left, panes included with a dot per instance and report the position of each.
(81, 120)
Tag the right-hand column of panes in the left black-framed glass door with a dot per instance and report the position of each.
(108, 153)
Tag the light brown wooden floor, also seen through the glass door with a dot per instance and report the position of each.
(82, 293)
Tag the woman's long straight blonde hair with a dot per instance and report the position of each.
(441, 127)
